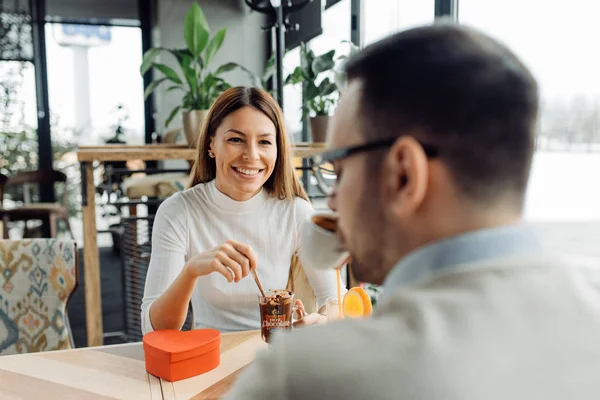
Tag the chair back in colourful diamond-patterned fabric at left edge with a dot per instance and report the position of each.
(37, 277)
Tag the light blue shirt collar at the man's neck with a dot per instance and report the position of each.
(456, 251)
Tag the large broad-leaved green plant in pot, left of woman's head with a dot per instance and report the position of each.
(199, 85)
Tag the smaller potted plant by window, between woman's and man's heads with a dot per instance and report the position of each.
(322, 80)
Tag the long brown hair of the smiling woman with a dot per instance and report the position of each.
(283, 182)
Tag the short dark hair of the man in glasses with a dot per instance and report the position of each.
(457, 89)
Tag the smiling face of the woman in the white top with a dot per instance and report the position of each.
(245, 151)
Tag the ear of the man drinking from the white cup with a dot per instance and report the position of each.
(405, 176)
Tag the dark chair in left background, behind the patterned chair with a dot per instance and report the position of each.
(53, 212)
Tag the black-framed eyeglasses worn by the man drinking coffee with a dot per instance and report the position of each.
(322, 164)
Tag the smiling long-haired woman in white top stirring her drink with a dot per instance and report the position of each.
(242, 210)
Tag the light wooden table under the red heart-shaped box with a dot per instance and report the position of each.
(118, 372)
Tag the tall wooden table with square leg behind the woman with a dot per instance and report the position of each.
(87, 155)
